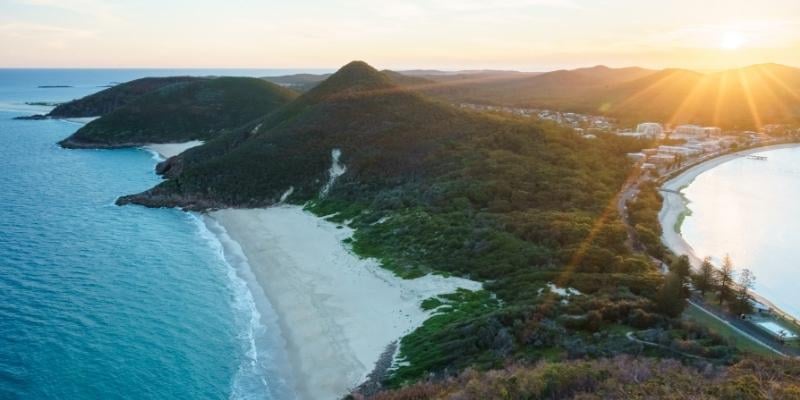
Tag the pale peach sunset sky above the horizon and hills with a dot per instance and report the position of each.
(528, 35)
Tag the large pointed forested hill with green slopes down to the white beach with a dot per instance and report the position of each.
(428, 187)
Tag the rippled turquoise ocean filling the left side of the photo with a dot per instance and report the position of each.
(105, 302)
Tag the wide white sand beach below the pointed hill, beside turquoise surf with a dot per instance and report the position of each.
(337, 312)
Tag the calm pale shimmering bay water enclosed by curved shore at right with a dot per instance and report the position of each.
(749, 209)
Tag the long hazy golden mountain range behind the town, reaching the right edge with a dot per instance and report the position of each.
(744, 98)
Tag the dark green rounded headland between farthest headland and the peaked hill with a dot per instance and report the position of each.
(194, 110)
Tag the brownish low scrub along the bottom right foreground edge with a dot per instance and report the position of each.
(620, 378)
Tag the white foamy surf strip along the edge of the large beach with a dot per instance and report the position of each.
(259, 375)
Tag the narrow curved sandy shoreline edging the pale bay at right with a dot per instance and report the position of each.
(676, 204)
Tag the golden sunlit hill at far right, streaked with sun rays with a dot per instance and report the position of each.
(744, 98)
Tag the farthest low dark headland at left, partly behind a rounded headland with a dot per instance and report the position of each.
(108, 100)
